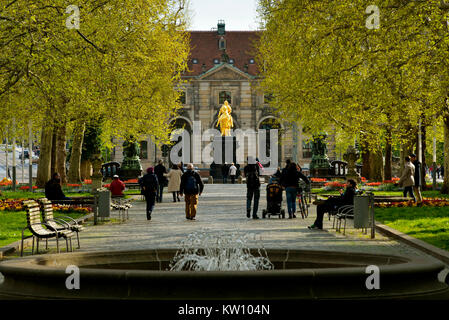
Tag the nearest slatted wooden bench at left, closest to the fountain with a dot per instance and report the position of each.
(38, 231)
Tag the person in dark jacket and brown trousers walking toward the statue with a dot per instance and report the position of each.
(191, 187)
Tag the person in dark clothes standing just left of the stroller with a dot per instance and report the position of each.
(252, 173)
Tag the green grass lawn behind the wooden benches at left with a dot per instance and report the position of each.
(12, 223)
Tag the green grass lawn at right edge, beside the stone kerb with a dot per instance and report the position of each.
(429, 224)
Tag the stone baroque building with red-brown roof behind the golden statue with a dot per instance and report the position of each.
(222, 66)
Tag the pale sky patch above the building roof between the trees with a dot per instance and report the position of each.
(237, 14)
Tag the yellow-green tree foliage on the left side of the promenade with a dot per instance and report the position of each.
(121, 65)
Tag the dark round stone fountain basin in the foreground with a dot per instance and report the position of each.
(298, 274)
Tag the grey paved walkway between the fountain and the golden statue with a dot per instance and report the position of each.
(222, 209)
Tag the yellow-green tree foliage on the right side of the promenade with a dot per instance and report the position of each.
(327, 70)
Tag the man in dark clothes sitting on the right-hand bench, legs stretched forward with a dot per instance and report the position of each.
(347, 198)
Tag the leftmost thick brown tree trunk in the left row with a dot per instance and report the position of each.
(44, 167)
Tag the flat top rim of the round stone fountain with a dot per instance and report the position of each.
(34, 264)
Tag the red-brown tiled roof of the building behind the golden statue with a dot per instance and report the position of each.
(240, 46)
